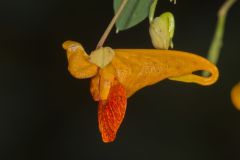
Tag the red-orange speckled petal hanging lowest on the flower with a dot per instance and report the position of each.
(111, 112)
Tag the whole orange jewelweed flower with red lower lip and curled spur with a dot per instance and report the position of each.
(116, 74)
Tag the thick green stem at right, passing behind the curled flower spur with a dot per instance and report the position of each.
(217, 42)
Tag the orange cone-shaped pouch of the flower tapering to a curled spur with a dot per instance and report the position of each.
(137, 68)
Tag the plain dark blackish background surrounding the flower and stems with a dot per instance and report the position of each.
(47, 114)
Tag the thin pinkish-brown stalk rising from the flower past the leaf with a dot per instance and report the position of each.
(111, 24)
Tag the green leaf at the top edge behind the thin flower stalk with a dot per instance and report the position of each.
(134, 12)
